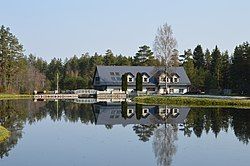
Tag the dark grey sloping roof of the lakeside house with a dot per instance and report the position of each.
(105, 77)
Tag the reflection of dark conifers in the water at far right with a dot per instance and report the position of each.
(218, 119)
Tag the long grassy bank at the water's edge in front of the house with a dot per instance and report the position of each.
(193, 101)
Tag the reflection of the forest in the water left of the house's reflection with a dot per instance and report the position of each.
(15, 113)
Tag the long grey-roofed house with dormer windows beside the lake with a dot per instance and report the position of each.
(109, 78)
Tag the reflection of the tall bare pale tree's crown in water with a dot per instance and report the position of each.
(163, 144)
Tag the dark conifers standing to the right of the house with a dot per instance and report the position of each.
(215, 71)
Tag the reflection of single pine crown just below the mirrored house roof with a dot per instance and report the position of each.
(144, 132)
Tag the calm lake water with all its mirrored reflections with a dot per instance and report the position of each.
(116, 134)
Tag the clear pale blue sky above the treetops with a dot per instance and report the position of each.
(60, 28)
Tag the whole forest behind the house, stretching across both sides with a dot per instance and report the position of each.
(212, 71)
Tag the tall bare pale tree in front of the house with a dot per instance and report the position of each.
(165, 48)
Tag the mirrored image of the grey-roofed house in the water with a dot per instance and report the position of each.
(113, 114)
